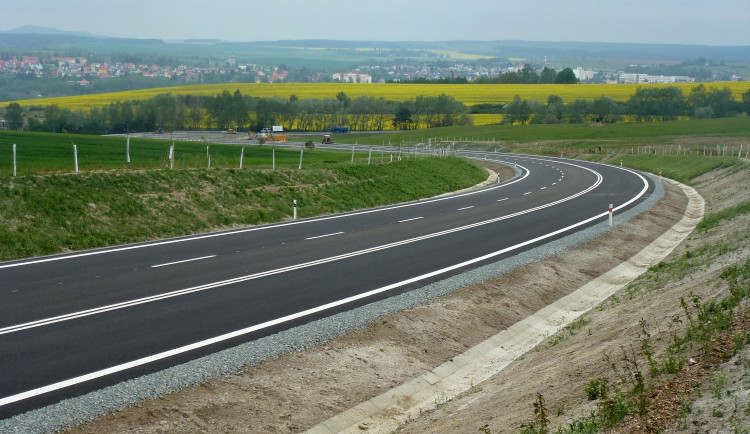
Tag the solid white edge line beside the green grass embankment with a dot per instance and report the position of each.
(259, 228)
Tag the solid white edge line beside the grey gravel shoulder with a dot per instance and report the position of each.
(163, 355)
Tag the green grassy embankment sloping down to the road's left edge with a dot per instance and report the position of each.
(45, 214)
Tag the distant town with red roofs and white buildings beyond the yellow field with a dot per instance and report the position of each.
(82, 71)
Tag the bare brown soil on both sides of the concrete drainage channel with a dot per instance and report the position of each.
(299, 390)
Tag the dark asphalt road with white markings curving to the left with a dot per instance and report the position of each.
(70, 324)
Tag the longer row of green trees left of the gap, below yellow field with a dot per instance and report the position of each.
(240, 112)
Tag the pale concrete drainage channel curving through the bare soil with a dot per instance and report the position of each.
(491, 356)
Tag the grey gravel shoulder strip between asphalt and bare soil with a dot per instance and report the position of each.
(75, 411)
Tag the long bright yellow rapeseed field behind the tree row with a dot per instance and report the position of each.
(469, 94)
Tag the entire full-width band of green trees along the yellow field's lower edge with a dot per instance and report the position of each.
(366, 113)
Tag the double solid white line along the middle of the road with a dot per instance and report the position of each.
(153, 298)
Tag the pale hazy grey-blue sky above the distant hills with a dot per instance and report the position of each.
(706, 22)
